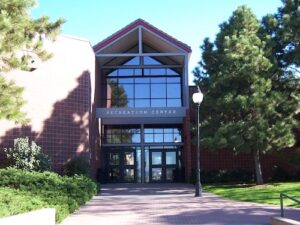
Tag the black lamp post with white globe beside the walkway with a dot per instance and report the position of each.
(197, 98)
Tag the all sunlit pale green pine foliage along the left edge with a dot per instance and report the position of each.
(21, 37)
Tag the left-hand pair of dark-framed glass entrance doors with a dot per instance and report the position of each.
(121, 165)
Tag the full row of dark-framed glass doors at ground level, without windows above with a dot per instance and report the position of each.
(136, 165)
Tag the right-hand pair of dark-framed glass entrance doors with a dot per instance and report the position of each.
(163, 165)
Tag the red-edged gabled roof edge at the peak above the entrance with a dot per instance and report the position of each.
(143, 23)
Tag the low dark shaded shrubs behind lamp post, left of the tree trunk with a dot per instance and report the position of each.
(224, 176)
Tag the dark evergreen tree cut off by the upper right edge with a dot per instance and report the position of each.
(281, 33)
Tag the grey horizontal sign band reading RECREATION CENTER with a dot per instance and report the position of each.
(140, 112)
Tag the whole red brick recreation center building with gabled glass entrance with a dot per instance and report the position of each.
(124, 104)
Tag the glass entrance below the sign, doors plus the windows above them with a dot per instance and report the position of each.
(143, 154)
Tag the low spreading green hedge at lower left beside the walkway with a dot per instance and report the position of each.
(48, 189)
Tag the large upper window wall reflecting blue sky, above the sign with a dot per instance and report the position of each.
(142, 83)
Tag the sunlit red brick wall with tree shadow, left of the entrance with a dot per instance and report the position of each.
(59, 95)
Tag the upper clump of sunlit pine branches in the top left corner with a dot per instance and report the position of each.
(20, 32)
